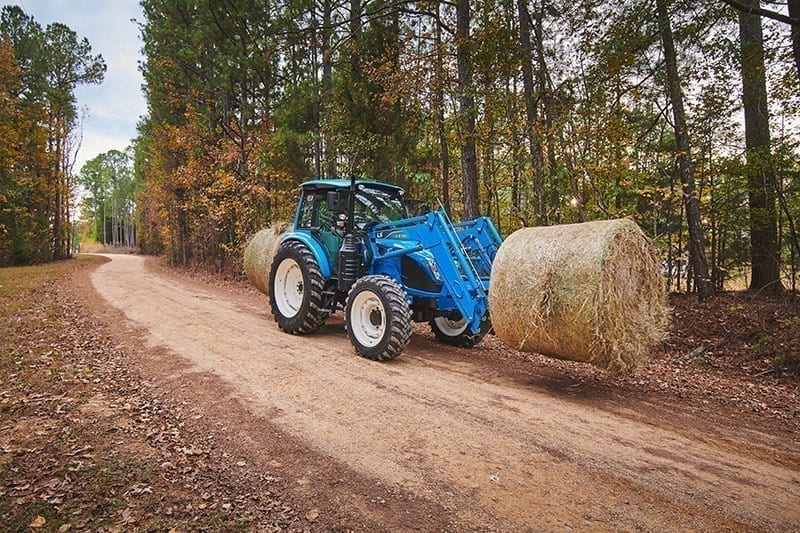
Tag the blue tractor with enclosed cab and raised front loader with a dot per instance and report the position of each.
(354, 247)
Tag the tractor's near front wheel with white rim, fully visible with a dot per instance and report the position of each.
(378, 318)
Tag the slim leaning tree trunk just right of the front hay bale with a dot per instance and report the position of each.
(697, 255)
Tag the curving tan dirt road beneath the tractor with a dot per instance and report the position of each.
(438, 430)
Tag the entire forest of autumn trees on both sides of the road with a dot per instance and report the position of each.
(681, 115)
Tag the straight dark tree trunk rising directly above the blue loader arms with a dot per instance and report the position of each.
(466, 101)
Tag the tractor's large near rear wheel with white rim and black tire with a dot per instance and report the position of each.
(296, 285)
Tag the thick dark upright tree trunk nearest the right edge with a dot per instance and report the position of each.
(765, 256)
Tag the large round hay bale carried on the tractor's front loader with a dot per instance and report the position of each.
(590, 292)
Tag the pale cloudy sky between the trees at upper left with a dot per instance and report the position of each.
(113, 107)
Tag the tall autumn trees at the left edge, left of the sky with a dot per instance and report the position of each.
(39, 70)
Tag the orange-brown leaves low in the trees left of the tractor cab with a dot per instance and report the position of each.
(202, 193)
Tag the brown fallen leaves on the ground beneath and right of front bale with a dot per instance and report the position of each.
(729, 356)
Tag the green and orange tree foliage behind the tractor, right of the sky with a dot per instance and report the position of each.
(569, 102)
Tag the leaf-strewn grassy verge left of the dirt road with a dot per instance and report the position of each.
(87, 444)
